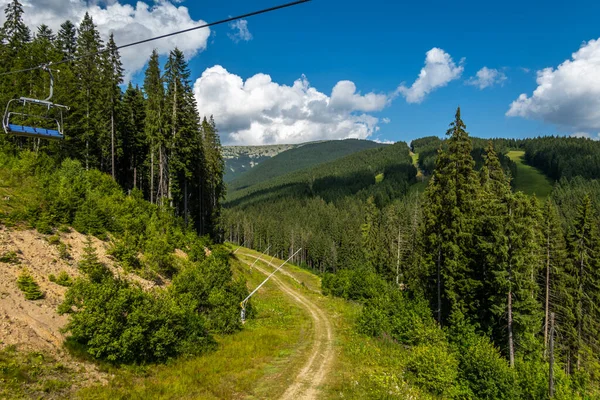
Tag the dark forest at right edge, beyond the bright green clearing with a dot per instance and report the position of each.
(564, 157)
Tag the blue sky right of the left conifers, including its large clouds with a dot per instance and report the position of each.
(379, 45)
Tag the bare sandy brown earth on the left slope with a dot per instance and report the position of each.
(35, 325)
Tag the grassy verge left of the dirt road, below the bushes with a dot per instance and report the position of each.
(248, 364)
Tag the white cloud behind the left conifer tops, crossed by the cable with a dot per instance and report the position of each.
(128, 23)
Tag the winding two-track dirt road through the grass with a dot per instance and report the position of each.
(306, 384)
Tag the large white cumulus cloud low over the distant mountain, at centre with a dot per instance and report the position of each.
(260, 111)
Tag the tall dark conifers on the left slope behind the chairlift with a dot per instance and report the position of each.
(149, 138)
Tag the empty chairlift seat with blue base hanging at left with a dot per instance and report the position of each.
(28, 122)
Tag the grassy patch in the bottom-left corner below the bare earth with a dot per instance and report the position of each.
(33, 375)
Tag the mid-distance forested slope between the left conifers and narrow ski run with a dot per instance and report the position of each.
(321, 209)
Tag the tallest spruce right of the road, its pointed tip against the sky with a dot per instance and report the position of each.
(451, 196)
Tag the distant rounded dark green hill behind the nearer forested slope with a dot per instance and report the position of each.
(301, 157)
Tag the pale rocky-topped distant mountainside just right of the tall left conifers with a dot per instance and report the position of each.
(239, 159)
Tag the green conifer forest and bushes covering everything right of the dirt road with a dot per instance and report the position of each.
(486, 264)
